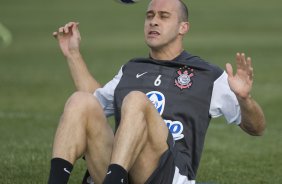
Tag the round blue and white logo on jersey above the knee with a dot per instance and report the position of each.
(158, 100)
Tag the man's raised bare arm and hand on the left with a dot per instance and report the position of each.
(69, 40)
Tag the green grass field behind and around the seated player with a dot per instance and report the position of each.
(35, 81)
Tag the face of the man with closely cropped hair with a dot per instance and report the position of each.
(162, 24)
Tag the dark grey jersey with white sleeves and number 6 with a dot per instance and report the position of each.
(187, 92)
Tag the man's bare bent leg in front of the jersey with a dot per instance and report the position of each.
(140, 139)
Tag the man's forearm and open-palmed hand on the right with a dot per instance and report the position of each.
(253, 121)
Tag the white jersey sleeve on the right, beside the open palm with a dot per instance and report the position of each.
(224, 101)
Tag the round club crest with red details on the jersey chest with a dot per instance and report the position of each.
(183, 81)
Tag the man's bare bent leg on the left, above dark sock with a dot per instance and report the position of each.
(83, 130)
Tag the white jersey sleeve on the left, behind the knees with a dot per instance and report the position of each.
(105, 95)
